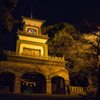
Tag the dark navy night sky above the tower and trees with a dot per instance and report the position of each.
(53, 11)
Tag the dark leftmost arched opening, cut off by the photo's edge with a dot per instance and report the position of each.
(7, 82)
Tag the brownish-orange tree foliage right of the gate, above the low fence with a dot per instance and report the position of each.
(85, 62)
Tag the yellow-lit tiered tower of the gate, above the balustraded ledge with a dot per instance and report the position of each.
(30, 40)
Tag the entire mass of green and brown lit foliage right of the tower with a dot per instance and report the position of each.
(66, 40)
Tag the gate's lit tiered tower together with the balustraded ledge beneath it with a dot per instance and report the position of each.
(31, 45)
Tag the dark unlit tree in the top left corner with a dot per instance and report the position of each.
(6, 19)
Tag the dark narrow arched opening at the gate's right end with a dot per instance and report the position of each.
(58, 85)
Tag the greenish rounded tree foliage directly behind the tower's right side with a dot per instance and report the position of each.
(61, 36)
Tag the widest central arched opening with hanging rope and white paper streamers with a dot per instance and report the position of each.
(33, 83)
